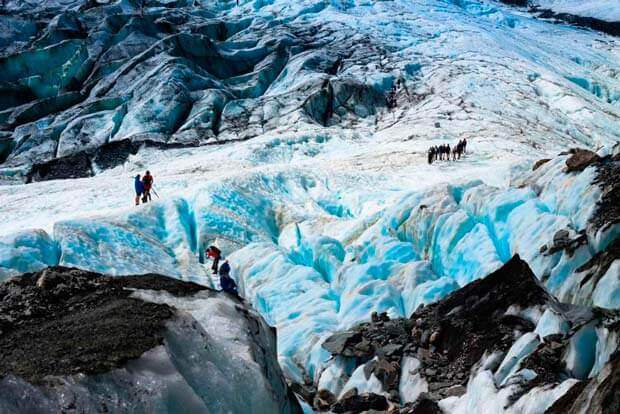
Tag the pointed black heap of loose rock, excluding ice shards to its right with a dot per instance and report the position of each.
(448, 337)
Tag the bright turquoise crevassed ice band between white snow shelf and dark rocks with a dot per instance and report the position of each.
(314, 257)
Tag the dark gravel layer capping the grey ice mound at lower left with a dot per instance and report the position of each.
(65, 321)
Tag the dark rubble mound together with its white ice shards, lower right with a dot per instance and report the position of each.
(488, 327)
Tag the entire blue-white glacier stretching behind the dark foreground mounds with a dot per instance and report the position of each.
(267, 130)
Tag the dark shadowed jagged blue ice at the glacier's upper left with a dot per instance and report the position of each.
(90, 74)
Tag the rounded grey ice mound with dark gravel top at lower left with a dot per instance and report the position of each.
(79, 341)
